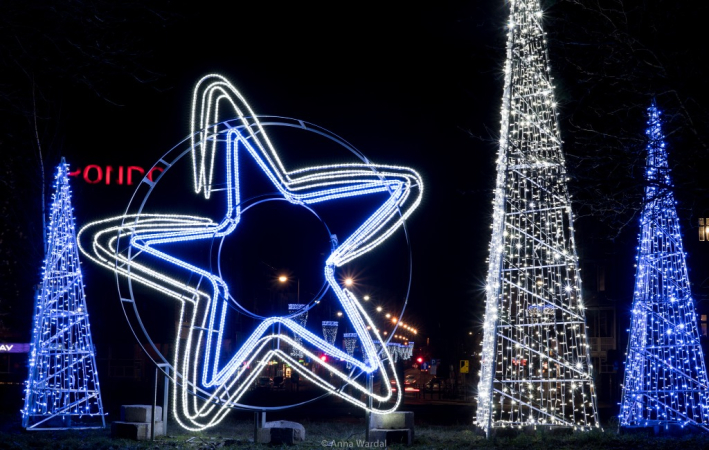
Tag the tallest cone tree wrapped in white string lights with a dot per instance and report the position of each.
(536, 367)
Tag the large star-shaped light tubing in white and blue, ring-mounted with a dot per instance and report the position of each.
(306, 186)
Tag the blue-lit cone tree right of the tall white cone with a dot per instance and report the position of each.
(665, 376)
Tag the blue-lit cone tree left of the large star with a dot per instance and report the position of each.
(62, 390)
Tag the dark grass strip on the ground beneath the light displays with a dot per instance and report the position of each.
(323, 434)
